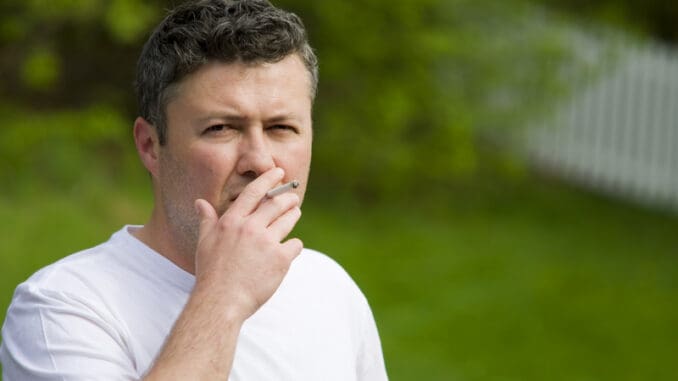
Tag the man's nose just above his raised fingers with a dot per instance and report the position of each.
(255, 156)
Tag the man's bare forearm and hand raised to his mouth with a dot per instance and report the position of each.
(240, 262)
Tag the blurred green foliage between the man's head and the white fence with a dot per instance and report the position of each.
(409, 88)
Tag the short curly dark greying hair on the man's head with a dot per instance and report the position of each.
(198, 32)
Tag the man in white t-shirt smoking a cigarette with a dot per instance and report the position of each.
(209, 288)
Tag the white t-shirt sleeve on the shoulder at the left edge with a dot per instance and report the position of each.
(51, 335)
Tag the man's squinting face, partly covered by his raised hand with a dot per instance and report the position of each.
(226, 125)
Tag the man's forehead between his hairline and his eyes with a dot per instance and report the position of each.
(241, 92)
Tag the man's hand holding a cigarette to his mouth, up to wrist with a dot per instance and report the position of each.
(240, 257)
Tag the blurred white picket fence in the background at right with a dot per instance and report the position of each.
(618, 132)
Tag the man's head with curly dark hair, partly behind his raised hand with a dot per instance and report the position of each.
(226, 90)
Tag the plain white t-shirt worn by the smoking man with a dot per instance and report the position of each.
(104, 314)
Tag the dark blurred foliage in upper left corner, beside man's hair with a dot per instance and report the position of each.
(66, 54)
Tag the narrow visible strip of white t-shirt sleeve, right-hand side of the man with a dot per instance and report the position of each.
(370, 357)
